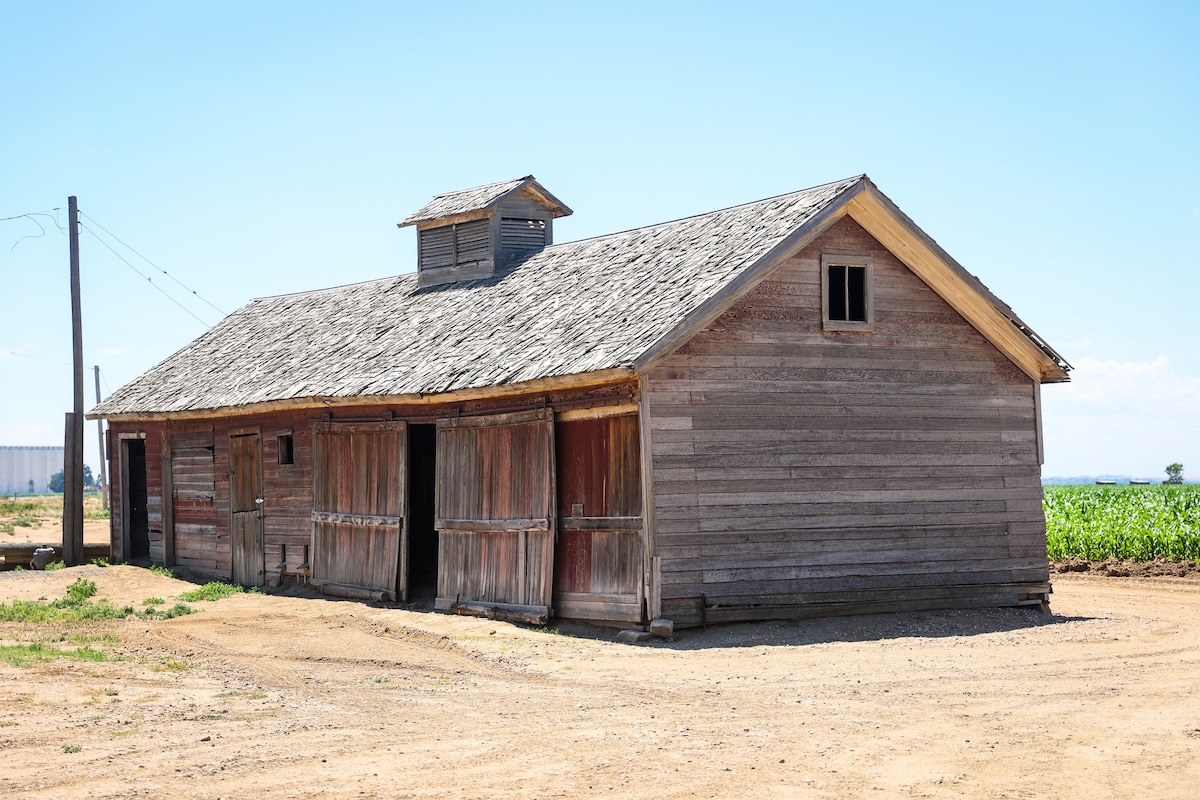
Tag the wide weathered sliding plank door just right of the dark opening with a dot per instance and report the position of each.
(496, 514)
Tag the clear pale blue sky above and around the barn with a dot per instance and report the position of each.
(256, 149)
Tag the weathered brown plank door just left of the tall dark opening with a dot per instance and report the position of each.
(359, 532)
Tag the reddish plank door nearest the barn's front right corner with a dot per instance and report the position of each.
(598, 562)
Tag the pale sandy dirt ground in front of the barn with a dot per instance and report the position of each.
(292, 696)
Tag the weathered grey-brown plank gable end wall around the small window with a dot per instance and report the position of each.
(794, 467)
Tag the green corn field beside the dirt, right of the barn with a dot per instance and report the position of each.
(1138, 524)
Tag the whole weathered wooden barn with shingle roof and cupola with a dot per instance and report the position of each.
(800, 406)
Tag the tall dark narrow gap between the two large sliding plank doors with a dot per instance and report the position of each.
(423, 538)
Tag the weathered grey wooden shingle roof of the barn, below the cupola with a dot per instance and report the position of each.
(604, 304)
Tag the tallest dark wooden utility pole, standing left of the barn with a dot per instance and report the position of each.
(73, 466)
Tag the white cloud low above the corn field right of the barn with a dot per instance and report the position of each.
(1123, 419)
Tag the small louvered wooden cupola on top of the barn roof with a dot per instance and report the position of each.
(471, 234)
